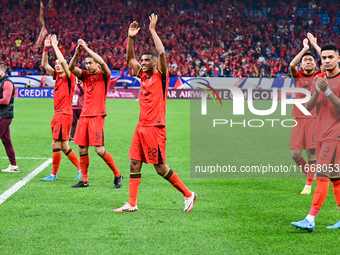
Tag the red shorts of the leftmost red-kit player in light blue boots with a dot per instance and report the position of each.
(60, 126)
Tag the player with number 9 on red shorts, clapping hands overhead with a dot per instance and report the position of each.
(90, 131)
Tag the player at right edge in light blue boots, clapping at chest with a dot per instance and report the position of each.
(326, 100)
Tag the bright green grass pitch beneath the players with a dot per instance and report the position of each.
(231, 215)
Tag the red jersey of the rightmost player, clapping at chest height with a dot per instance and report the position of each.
(327, 116)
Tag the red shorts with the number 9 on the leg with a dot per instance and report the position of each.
(90, 131)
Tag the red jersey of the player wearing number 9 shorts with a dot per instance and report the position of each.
(95, 90)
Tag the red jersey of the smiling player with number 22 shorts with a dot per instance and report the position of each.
(152, 98)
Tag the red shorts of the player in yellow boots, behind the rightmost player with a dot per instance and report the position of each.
(303, 134)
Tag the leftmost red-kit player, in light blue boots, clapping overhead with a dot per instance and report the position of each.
(62, 120)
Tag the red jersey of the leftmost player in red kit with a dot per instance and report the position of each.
(63, 93)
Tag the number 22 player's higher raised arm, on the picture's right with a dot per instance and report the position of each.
(158, 43)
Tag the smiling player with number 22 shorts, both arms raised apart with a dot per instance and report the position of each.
(148, 142)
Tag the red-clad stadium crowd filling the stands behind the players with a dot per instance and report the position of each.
(226, 38)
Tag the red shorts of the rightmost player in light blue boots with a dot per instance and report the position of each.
(328, 161)
